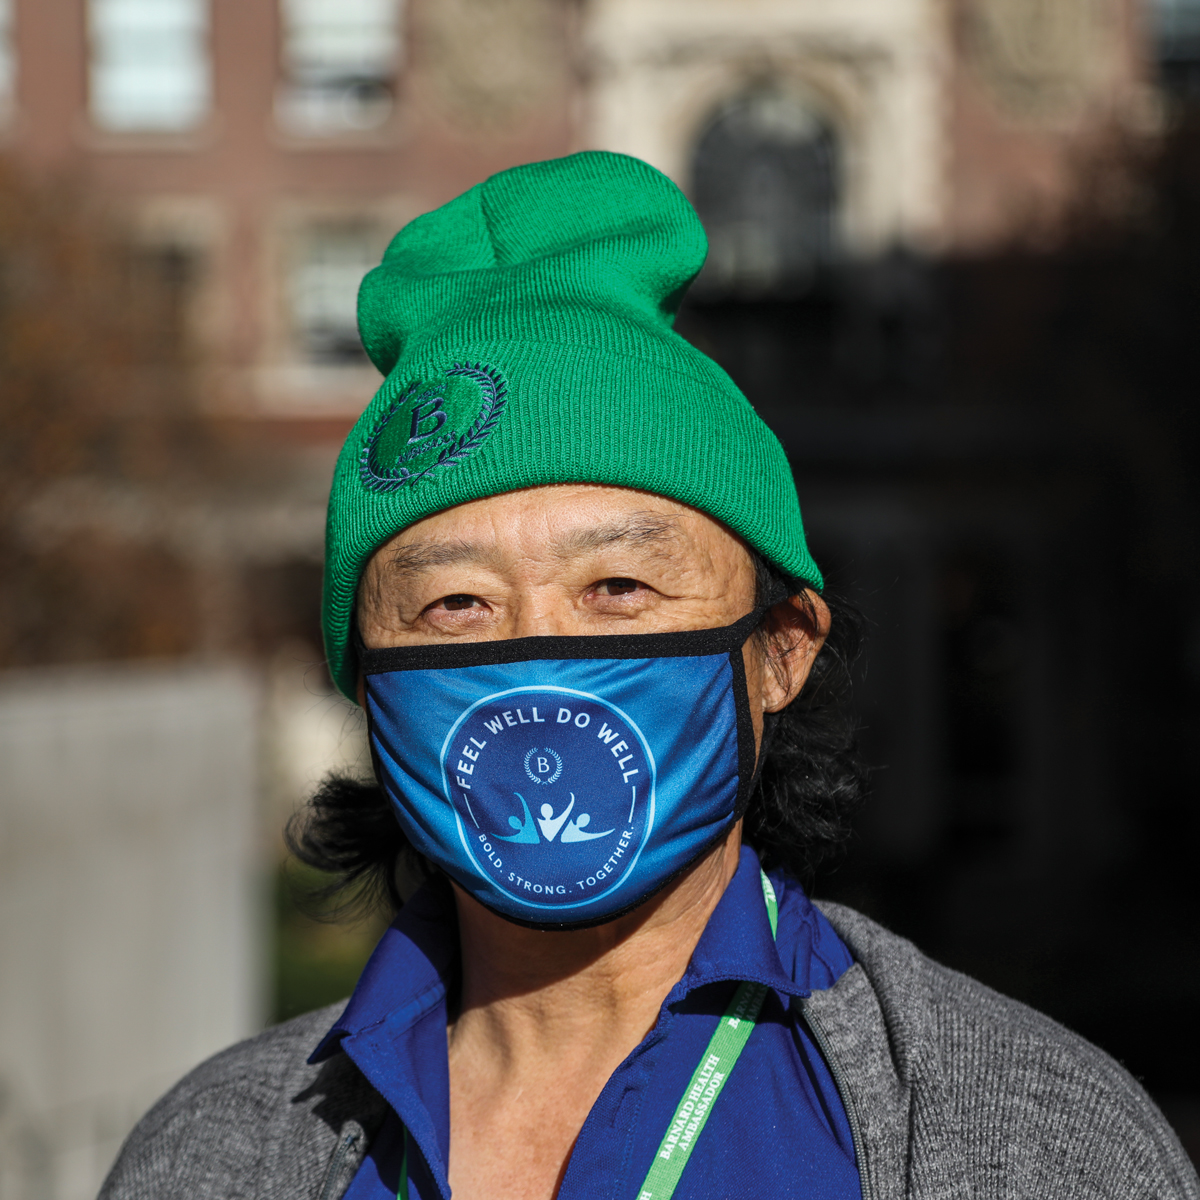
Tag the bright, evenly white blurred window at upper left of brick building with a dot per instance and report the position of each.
(151, 69)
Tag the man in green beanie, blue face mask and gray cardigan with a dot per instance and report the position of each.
(568, 581)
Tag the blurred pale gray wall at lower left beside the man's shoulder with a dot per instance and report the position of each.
(131, 923)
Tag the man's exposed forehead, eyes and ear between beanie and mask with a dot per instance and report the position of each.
(581, 560)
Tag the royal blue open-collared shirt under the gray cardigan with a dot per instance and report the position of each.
(779, 1127)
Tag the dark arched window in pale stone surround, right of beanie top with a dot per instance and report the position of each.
(765, 183)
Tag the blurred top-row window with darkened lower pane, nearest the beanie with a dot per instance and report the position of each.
(340, 64)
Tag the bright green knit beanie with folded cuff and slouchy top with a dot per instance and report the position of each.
(525, 332)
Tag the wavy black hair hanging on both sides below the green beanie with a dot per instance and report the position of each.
(811, 785)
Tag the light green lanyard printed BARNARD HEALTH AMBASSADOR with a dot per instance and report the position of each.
(716, 1064)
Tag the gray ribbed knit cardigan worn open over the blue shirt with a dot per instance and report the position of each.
(952, 1091)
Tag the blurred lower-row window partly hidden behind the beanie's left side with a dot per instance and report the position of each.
(329, 262)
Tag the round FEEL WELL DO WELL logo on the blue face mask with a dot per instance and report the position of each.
(554, 791)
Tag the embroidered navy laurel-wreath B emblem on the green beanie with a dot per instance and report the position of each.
(433, 425)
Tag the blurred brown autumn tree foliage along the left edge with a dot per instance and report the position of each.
(101, 436)
